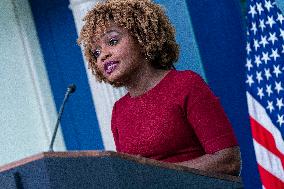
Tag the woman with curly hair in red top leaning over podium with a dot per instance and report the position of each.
(166, 115)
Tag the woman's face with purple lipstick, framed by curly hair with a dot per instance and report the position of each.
(118, 54)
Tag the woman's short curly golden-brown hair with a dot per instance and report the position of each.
(146, 22)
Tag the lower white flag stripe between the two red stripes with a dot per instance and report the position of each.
(269, 161)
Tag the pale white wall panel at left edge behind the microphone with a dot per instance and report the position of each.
(27, 111)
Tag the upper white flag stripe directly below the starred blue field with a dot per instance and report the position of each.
(258, 113)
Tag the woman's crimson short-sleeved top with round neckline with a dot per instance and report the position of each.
(177, 120)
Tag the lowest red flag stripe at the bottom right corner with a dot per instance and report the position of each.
(269, 181)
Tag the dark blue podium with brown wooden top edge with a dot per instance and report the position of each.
(95, 169)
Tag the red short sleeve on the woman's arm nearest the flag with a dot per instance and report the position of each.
(208, 119)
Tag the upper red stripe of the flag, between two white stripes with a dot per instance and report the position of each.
(264, 137)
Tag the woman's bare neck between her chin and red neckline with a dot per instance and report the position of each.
(144, 80)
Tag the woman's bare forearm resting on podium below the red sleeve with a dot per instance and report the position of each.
(226, 161)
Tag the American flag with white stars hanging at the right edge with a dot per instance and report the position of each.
(265, 88)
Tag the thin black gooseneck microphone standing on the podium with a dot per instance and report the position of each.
(71, 89)
